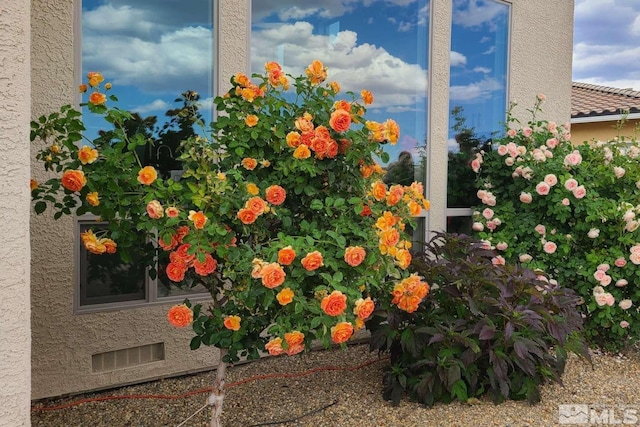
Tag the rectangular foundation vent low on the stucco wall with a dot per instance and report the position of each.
(127, 357)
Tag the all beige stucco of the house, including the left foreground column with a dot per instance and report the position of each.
(63, 342)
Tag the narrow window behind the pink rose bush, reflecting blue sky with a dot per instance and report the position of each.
(478, 97)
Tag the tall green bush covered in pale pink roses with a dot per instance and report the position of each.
(569, 209)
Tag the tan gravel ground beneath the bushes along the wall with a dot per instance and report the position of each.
(354, 395)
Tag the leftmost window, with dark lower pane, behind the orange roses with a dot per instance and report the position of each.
(157, 55)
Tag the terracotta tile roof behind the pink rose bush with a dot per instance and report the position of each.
(588, 100)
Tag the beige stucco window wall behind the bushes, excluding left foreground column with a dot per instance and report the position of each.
(63, 342)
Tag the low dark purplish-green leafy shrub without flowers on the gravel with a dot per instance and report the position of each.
(485, 328)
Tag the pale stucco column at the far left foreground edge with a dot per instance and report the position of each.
(15, 347)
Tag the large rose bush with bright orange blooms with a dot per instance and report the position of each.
(280, 211)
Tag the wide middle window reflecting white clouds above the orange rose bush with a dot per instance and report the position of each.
(381, 46)
